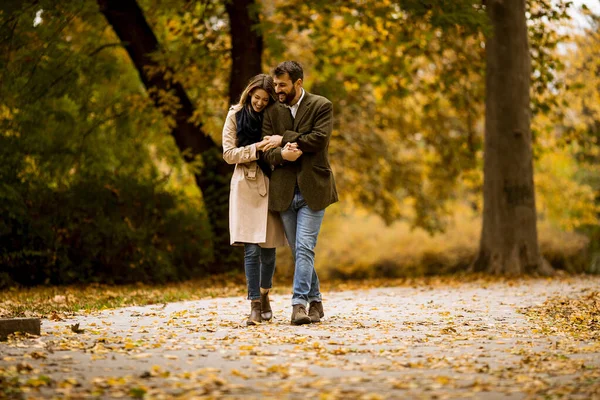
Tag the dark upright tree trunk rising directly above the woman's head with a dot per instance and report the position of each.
(246, 45)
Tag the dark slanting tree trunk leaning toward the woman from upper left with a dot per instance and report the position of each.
(129, 23)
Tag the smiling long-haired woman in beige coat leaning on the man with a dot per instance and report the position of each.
(250, 221)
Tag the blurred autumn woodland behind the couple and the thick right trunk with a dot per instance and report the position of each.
(96, 186)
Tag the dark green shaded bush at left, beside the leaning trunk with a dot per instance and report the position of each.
(110, 230)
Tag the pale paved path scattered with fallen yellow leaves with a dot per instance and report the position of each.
(460, 341)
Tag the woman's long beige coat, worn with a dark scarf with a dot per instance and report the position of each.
(250, 220)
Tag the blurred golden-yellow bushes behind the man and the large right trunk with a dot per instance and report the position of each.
(361, 246)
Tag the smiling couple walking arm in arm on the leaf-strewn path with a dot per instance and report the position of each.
(278, 138)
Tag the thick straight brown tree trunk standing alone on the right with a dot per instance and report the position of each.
(509, 241)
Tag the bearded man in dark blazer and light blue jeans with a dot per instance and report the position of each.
(302, 183)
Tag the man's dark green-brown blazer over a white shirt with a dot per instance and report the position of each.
(311, 129)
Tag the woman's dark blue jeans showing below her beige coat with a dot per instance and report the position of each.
(259, 264)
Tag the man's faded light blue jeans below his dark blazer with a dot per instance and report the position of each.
(302, 226)
